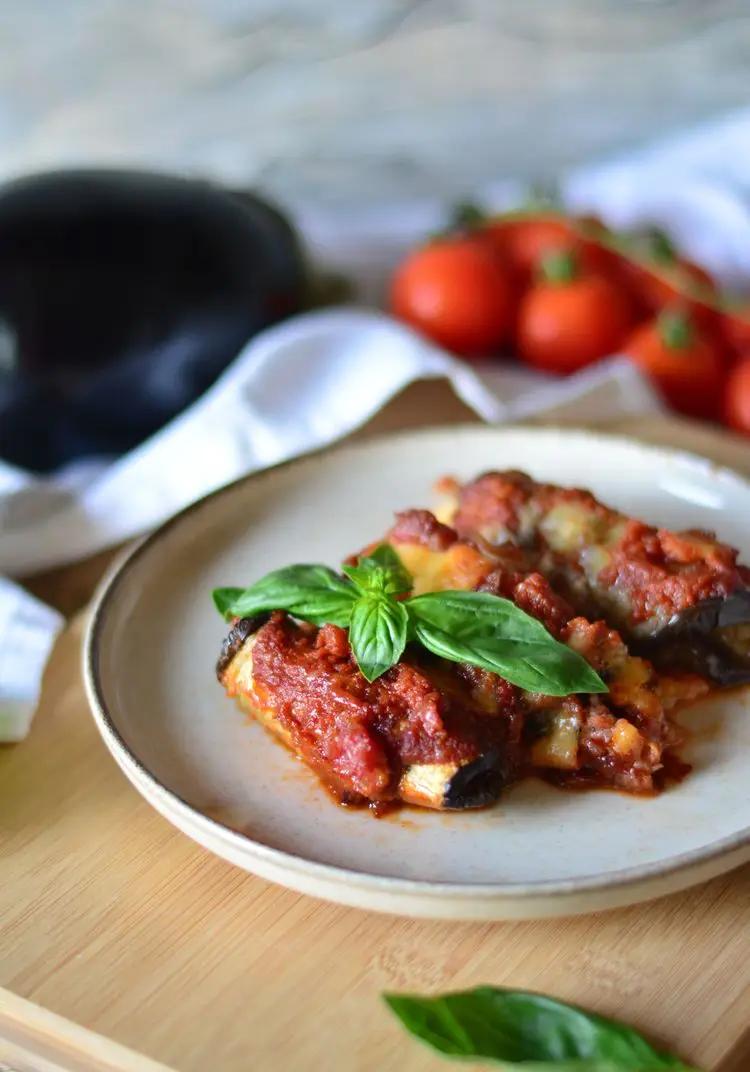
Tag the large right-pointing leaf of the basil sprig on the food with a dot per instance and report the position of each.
(493, 633)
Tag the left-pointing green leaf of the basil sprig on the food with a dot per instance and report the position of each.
(313, 593)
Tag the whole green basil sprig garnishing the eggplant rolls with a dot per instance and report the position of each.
(473, 628)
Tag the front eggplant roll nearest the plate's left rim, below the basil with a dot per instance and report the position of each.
(410, 737)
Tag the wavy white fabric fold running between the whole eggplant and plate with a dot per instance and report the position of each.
(299, 386)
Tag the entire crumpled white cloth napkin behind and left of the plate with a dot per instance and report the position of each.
(316, 379)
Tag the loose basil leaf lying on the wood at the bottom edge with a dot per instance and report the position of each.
(528, 1032)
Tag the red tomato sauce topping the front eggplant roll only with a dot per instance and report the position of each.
(366, 734)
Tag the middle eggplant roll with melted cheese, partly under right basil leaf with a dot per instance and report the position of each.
(626, 739)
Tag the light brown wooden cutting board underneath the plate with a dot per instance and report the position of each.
(113, 920)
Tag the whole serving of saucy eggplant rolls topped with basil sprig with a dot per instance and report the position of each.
(493, 652)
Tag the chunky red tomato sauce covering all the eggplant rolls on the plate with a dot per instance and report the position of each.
(364, 738)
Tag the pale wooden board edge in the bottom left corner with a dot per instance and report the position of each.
(33, 1039)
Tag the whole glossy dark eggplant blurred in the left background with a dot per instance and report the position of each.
(124, 295)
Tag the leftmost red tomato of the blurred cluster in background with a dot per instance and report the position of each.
(458, 293)
